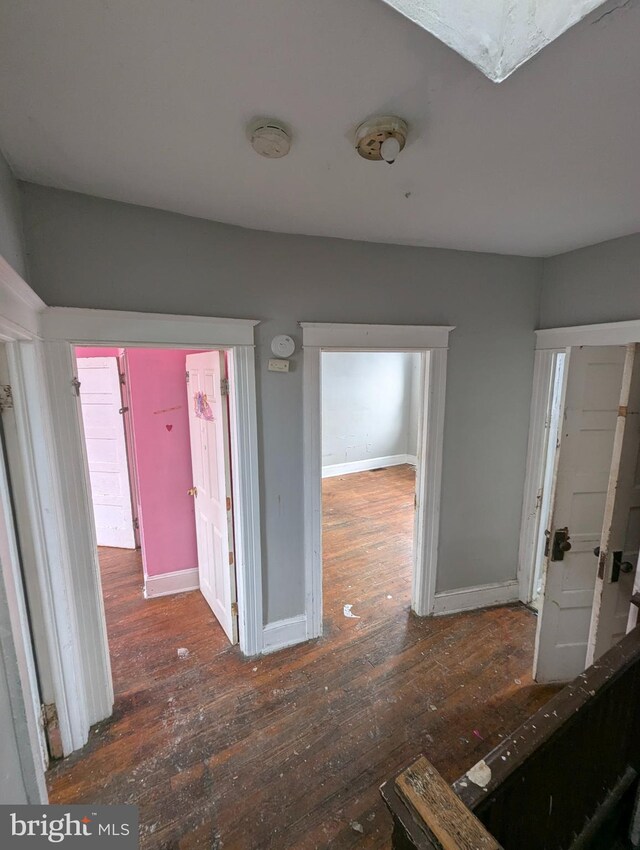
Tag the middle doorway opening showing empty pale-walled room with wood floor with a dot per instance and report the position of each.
(371, 402)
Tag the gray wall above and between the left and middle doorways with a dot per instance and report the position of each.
(87, 252)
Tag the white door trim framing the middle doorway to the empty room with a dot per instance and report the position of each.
(318, 337)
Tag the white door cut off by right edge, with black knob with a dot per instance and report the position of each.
(620, 539)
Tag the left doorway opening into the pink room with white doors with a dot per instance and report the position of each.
(157, 442)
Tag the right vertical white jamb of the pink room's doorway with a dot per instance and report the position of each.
(246, 496)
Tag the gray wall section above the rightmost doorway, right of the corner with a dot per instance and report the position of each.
(600, 283)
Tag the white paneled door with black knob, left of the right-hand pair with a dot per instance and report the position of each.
(591, 394)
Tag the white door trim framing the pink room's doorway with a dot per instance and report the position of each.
(64, 328)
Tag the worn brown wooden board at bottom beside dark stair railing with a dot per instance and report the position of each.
(432, 799)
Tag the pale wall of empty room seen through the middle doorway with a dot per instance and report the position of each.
(367, 405)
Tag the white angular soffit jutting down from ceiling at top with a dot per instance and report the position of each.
(497, 36)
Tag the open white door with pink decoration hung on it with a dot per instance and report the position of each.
(211, 464)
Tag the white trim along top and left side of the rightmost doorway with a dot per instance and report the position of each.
(550, 341)
